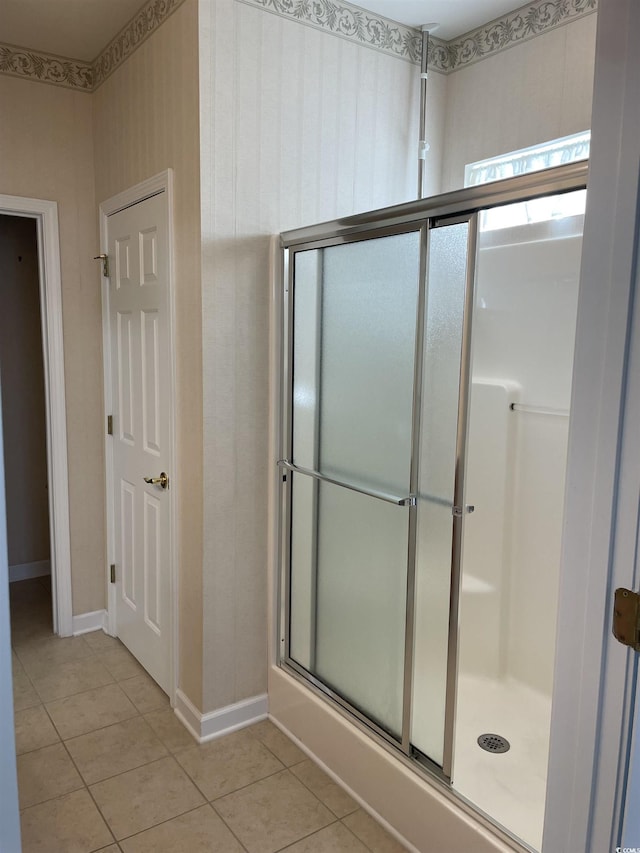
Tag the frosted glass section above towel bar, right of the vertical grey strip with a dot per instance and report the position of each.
(368, 329)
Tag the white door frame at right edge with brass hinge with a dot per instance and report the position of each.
(591, 710)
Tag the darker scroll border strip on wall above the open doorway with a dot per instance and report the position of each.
(33, 65)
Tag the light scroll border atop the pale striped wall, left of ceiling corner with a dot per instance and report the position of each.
(350, 22)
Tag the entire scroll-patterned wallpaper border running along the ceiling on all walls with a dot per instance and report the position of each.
(339, 18)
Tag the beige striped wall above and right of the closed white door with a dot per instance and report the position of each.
(145, 121)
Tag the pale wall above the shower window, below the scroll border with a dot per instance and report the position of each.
(537, 91)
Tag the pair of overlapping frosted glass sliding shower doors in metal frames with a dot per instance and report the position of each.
(373, 472)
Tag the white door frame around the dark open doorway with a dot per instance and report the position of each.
(46, 215)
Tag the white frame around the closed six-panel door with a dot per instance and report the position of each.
(160, 183)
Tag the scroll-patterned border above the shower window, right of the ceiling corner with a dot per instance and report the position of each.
(518, 26)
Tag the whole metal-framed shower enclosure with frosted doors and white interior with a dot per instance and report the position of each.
(426, 371)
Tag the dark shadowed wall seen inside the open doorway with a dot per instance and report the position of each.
(23, 400)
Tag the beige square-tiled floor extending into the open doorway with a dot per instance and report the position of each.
(104, 764)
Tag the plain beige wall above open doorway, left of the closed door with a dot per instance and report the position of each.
(46, 152)
